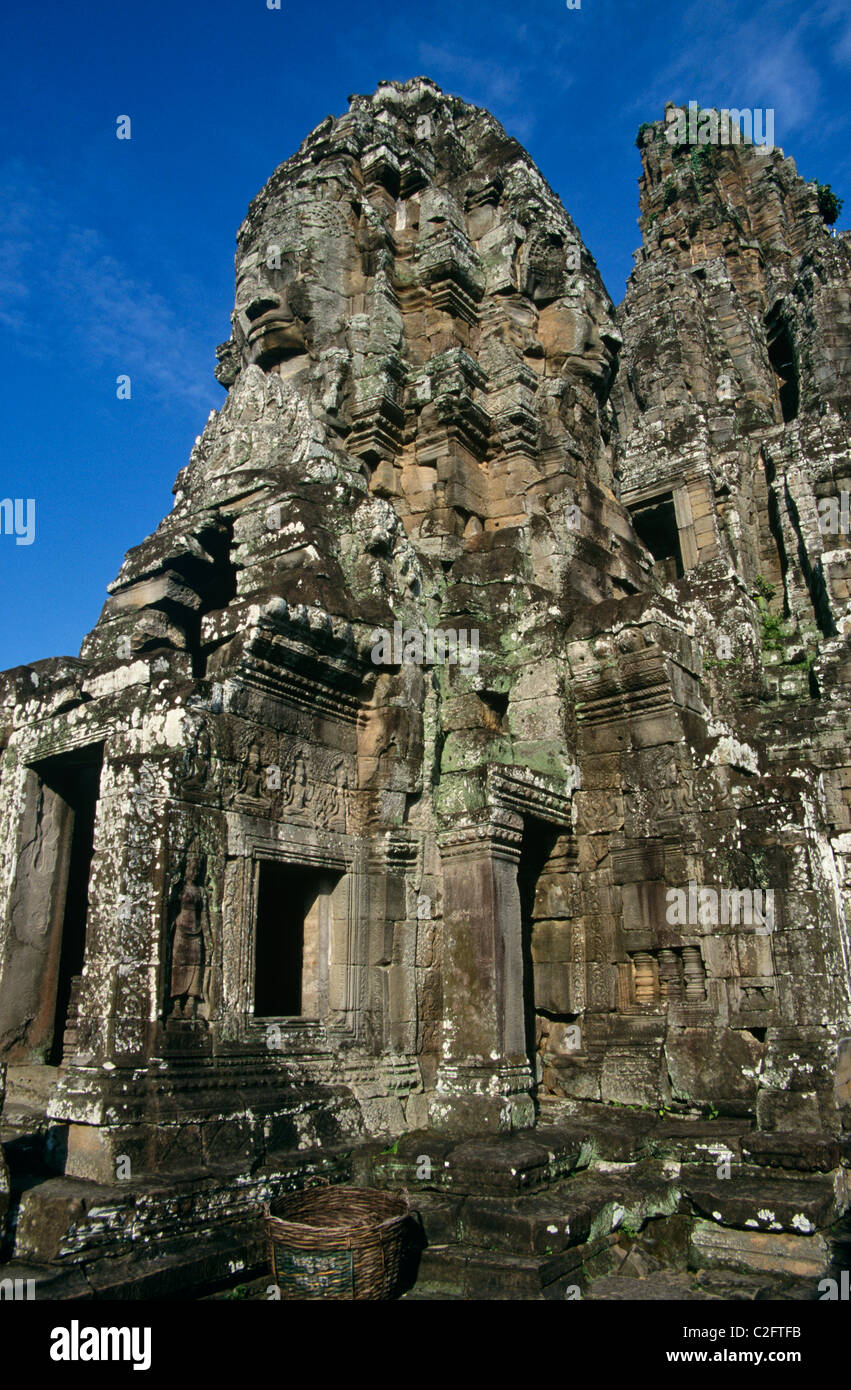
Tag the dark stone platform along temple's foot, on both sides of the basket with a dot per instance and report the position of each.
(606, 1204)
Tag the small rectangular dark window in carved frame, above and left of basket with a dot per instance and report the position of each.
(287, 942)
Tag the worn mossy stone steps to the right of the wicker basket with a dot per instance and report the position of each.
(618, 1206)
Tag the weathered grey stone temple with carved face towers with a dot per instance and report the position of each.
(469, 747)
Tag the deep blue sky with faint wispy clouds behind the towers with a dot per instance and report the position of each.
(116, 256)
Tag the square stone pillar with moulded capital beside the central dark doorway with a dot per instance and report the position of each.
(485, 1075)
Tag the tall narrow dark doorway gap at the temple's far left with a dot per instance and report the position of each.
(76, 778)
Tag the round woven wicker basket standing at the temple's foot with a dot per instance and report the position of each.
(337, 1242)
